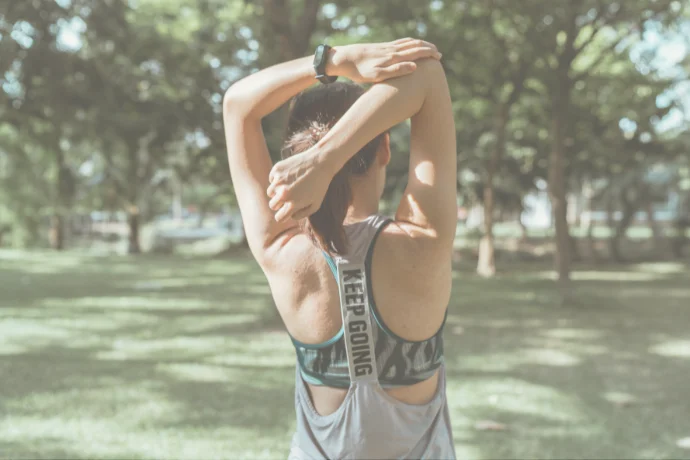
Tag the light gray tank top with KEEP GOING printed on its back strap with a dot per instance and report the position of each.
(369, 424)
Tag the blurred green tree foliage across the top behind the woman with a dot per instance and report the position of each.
(107, 105)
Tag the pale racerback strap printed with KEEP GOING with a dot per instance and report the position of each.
(359, 336)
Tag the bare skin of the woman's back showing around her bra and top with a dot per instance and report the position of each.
(411, 289)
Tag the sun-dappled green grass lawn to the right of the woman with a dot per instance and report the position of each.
(603, 379)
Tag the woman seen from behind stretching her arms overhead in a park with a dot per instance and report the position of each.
(363, 297)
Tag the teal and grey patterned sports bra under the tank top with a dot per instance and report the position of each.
(399, 362)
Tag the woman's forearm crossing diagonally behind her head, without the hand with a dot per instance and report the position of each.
(383, 106)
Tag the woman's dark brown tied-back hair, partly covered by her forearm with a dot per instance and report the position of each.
(312, 114)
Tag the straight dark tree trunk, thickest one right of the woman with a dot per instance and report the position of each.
(556, 186)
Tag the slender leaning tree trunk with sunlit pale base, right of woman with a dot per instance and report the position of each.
(486, 265)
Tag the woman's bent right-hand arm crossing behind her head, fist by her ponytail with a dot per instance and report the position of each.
(299, 183)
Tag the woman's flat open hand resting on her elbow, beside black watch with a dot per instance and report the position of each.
(375, 62)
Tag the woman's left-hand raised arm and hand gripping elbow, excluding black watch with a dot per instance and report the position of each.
(252, 98)
